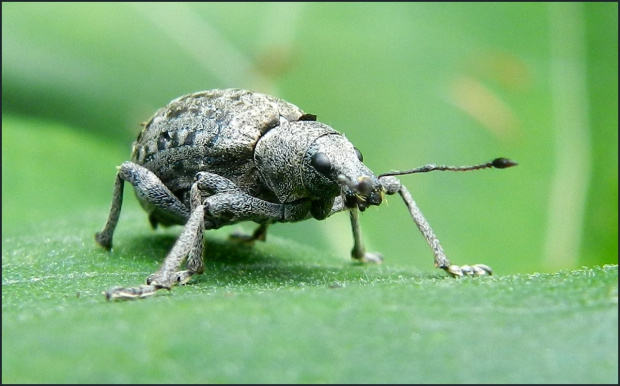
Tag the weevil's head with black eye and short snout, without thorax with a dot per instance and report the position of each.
(332, 166)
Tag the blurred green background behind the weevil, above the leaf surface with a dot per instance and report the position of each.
(408, 84)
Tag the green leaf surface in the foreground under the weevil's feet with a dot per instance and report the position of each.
(284, 312)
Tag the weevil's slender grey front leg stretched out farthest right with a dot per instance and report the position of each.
(392, 186)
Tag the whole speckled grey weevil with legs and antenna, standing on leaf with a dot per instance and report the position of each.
(219, 157)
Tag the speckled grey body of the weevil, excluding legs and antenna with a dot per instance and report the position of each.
(262, 144)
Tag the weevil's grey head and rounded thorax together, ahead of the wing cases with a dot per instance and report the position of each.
(308, 159)
